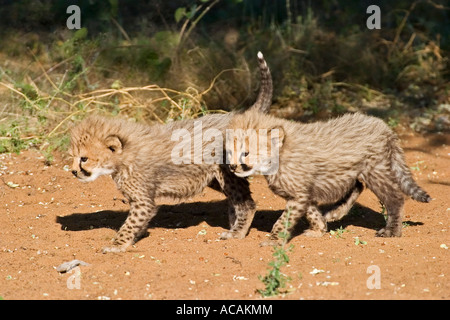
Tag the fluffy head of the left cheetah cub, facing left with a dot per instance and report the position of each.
(94, 148)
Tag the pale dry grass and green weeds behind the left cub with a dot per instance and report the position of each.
(42, 111)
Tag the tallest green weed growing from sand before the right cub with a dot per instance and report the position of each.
(275, 280)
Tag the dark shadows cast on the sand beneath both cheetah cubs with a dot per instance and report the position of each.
(214, 214)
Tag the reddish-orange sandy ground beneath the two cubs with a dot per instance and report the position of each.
(47, 217)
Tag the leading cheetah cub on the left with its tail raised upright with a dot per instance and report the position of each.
(140, 160)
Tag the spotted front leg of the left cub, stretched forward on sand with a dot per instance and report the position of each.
(135, 226)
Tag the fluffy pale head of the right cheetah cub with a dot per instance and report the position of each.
(253, 151)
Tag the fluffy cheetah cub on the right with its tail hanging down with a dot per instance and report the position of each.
(323, 162)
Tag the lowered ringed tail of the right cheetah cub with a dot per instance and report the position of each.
(403, 174)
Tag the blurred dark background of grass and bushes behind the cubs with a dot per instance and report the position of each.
(156, 60)
